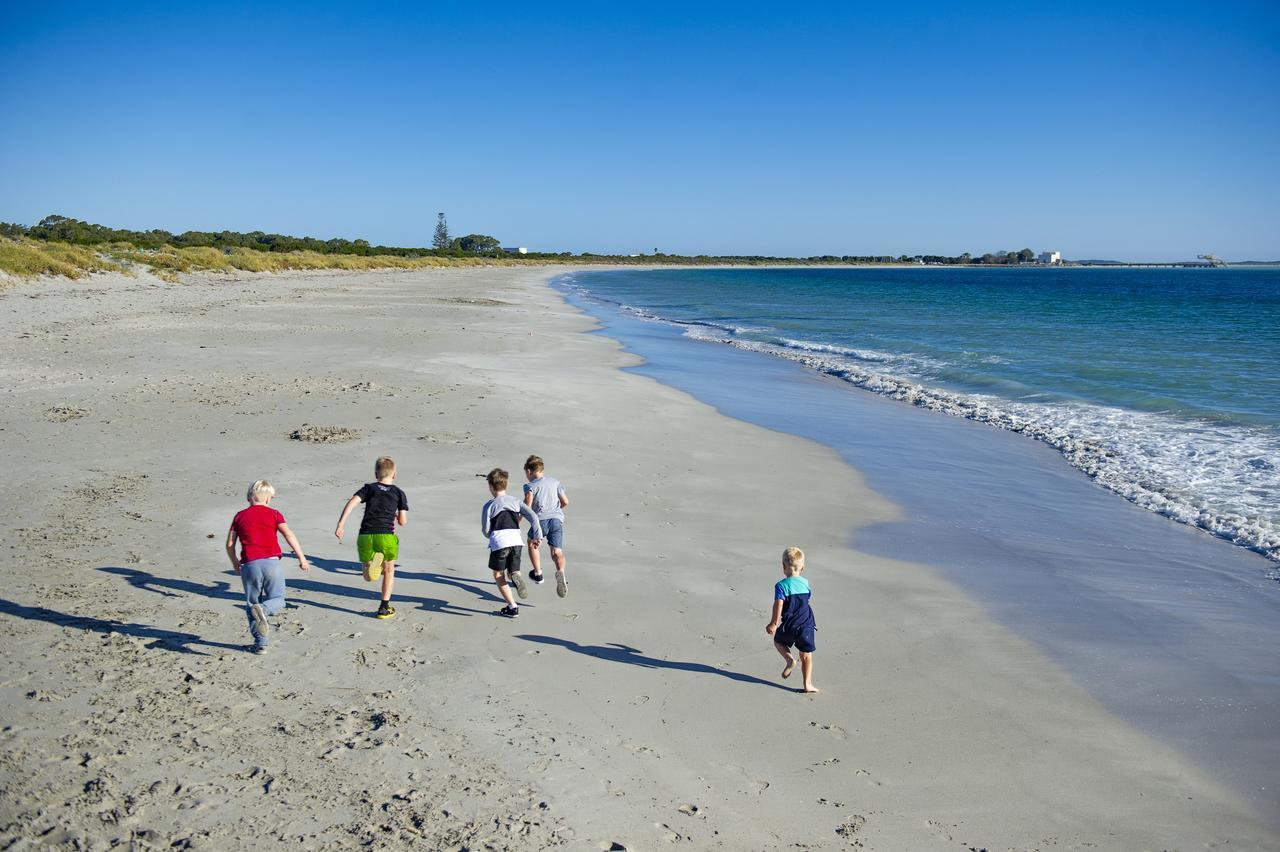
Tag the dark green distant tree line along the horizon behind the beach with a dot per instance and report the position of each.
(65, 230)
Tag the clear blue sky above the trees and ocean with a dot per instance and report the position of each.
(1137, 131)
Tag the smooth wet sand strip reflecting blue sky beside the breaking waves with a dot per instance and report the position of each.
(1087, 579)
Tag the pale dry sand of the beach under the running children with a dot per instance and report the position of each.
(644, 711)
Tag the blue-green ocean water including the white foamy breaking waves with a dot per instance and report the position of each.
(1160, 386)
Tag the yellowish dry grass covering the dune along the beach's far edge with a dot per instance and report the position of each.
(29, 258)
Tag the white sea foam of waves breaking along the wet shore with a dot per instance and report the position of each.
(1213, 477)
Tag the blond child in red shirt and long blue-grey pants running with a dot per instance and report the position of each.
(259, 564)
